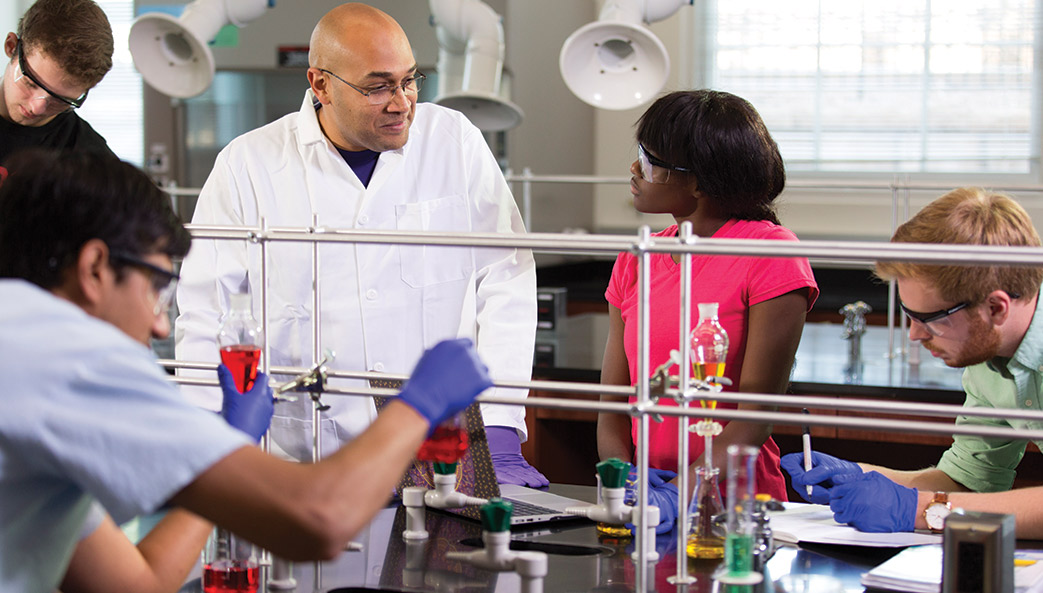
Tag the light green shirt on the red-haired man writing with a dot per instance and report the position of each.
(989, 464)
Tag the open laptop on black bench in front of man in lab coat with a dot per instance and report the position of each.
(476, 477)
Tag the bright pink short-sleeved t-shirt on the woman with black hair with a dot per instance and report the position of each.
(736, 284)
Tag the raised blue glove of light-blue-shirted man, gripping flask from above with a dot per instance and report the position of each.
(446, 381)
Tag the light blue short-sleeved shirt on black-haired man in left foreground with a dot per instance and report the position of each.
(86, 414)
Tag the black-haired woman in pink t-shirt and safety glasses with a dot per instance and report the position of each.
(706, 157)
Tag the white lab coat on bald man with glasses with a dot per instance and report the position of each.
(381, 306)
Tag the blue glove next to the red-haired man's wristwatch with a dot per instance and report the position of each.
(871, 503)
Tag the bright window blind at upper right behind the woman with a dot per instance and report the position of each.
(885, 86)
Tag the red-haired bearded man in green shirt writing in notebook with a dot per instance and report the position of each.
(980, 318)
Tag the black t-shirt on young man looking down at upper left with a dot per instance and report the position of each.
(65, 132)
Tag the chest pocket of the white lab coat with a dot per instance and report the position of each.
(426, 265)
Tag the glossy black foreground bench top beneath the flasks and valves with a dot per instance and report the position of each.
(579, 560)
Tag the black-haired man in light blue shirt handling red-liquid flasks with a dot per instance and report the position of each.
(93, 433)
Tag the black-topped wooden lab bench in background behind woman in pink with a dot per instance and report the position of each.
(563, 443)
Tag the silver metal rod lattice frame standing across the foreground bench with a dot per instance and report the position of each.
(644, 408)
